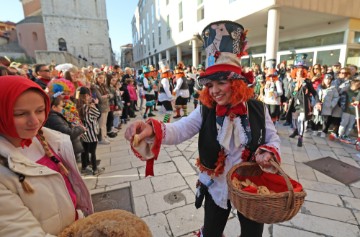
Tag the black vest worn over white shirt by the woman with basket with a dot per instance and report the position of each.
(208, 145)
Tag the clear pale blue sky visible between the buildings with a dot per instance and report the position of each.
(119, 13)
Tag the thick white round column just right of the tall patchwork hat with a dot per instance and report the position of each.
(272, 35)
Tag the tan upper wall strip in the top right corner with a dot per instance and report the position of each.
(347, 8)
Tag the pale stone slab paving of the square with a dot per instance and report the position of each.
(166, 201)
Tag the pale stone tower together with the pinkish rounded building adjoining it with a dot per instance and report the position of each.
(79, 27)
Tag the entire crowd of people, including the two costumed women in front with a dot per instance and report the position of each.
(92, 104)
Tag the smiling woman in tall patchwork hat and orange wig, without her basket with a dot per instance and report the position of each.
(226, 136)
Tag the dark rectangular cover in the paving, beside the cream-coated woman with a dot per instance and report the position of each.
(114, 199)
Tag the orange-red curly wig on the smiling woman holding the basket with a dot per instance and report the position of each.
(240, 93)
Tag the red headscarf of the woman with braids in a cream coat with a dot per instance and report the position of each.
(11, 87)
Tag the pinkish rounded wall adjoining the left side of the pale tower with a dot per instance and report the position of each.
(27, 40)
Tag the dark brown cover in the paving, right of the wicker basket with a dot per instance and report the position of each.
(336, 169)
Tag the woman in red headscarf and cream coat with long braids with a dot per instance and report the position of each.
(41, 190)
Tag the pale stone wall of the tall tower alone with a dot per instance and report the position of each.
(84, 28)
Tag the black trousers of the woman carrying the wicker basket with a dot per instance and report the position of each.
(216, 218)
